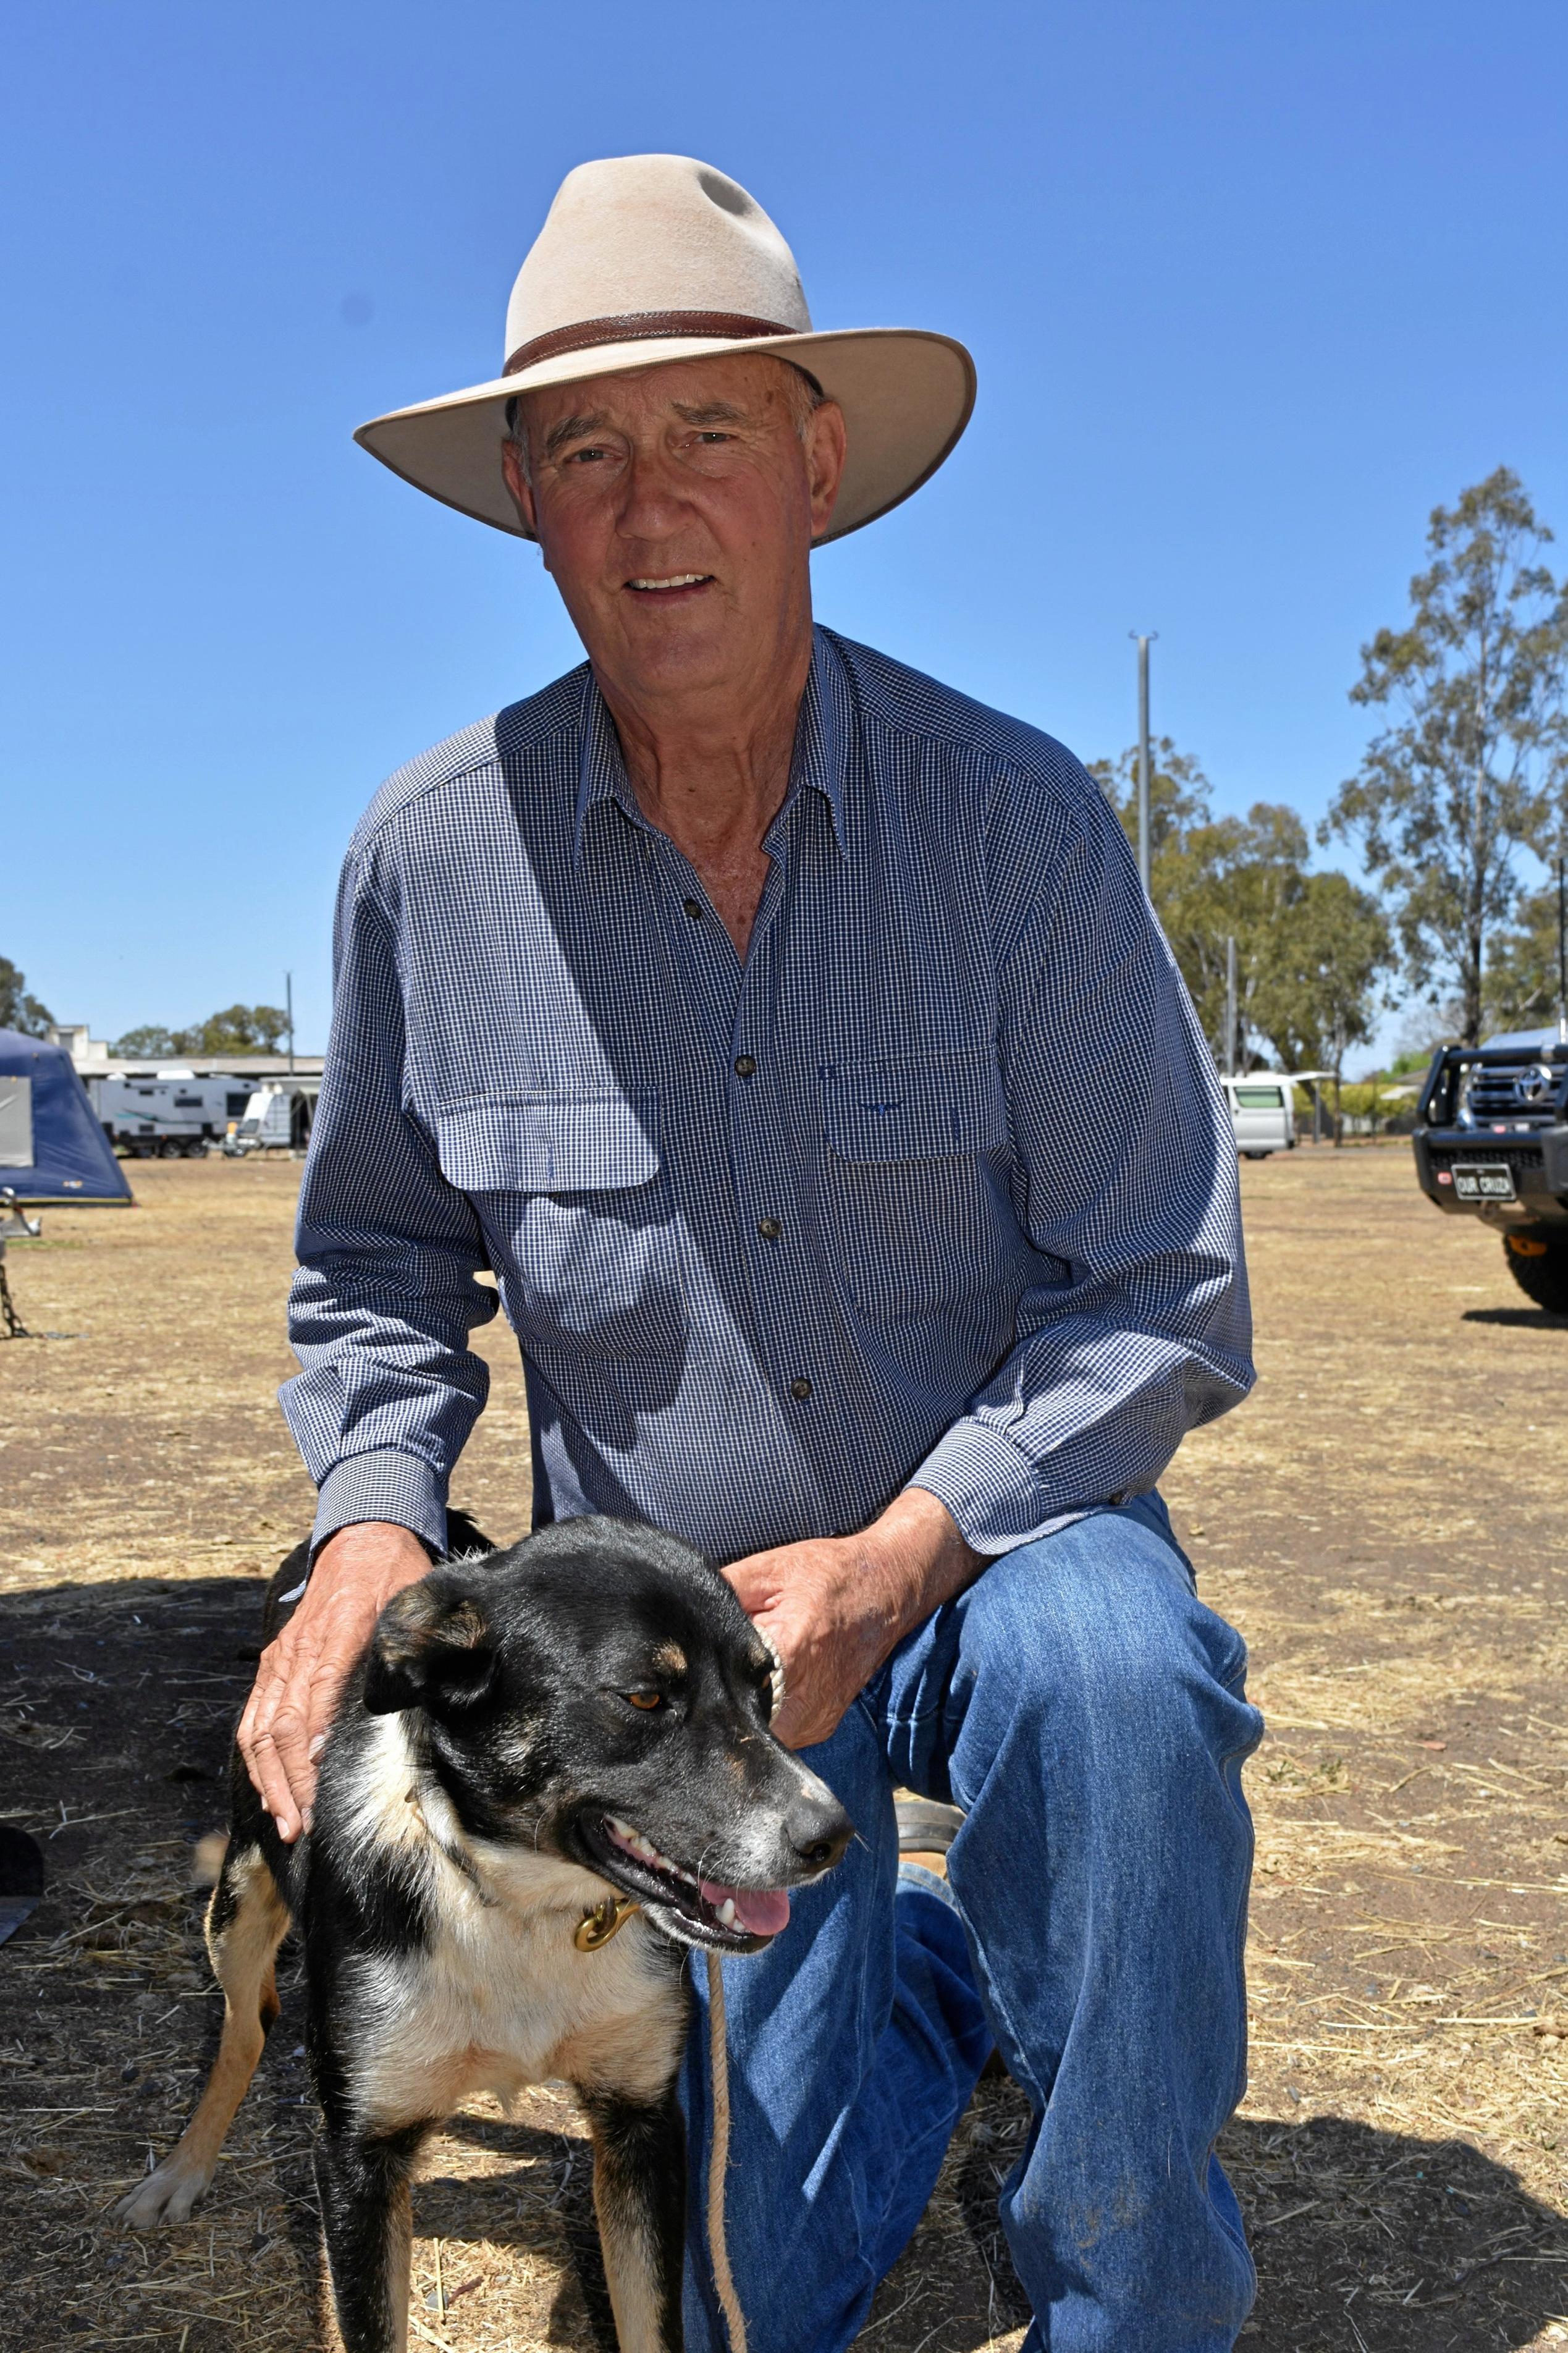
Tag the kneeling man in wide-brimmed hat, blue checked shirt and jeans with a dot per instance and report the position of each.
(797, 1046)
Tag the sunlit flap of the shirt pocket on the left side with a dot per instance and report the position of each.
(550, 1145)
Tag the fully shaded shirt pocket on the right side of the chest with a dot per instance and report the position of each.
(915, 1189)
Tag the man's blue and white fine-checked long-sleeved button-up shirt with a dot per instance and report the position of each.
(936, 1187)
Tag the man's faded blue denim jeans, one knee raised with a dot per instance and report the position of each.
(1089, 1717)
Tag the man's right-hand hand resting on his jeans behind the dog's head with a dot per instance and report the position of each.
(839, 1606)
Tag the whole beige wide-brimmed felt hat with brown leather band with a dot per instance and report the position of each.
(646, 260)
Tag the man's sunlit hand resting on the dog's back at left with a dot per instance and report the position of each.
(291, 1707)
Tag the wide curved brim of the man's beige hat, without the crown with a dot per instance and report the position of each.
(905, 394)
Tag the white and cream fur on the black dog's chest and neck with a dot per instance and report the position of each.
(500, 1997)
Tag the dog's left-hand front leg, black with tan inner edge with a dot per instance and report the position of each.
(366, 2229)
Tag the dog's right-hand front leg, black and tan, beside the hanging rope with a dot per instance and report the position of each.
(639, 2197)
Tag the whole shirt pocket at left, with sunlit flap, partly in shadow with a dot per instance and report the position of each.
(578, 1218)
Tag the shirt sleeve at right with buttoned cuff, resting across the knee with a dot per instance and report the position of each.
(1138, 1326)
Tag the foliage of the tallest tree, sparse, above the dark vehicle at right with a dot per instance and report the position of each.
(1477, 768)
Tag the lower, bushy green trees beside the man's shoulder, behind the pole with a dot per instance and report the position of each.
(1310, 949)
